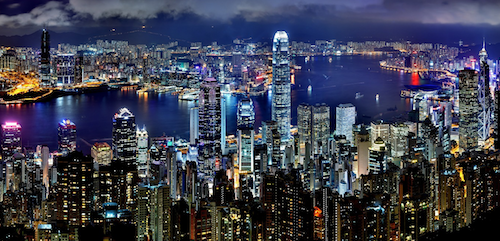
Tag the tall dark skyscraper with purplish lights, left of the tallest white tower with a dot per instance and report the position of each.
(209, 113)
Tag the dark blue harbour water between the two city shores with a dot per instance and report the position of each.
(332, 82)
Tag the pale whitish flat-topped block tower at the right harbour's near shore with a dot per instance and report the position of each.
(346, 117)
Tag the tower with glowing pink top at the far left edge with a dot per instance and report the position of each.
(11, 139)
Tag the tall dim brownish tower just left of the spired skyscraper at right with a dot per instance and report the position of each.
(468, 131)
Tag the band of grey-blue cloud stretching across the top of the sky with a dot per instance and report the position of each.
(81, 12)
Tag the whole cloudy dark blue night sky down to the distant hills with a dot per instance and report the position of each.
(224, 20)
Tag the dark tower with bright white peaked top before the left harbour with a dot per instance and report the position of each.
(124, 137)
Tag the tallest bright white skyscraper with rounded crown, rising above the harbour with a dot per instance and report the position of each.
(281, 99)
